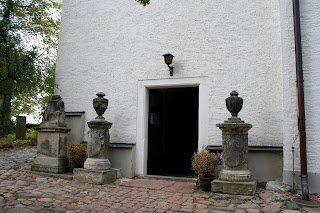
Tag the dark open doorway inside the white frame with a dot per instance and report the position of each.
(172, 130)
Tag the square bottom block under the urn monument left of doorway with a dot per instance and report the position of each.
(95, 176)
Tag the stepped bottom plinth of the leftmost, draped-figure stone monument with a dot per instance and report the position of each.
(50, 165)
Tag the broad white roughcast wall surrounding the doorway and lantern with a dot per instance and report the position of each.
(110, 46)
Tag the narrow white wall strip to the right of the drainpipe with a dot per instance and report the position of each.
(310, 29)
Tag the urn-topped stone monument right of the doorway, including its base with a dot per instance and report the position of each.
(234, 178)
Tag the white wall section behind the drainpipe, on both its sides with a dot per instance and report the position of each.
(310, 32)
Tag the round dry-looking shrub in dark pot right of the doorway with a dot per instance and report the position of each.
(204, 164)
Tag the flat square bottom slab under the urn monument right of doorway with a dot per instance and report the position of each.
(233, 187)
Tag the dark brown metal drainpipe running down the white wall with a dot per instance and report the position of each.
(301, 118)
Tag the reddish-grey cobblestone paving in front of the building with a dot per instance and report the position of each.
(24, 191)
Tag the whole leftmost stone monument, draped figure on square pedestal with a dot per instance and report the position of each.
(52, 139)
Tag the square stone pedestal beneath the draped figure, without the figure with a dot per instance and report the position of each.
(51, 150)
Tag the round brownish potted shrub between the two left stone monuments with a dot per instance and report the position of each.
(77, 154)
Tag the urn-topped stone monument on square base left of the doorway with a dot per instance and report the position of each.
(97, 167)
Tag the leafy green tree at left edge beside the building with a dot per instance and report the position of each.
(26, 71)
